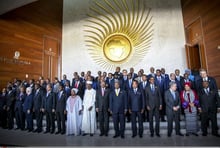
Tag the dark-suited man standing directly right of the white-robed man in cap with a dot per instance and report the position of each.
(102, 106)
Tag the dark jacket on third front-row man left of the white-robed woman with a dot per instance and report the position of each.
(38, 100)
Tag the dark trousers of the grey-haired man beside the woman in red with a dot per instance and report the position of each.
(173, 115)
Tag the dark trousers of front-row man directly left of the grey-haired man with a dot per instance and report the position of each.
(154, 112)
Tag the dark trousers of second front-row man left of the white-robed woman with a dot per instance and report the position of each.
(50, 117)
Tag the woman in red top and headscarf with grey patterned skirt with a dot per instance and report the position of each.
(189, 100)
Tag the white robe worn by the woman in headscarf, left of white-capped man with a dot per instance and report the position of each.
(74, 120)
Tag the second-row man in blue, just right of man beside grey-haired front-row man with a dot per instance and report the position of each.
(160, 82)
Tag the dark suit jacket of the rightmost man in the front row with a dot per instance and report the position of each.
(209, 102)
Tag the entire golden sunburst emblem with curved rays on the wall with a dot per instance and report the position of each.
(118, 32)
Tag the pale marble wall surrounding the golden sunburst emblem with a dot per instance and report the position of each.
(167, 49)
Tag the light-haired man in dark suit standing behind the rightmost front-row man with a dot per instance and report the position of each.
(205, 77)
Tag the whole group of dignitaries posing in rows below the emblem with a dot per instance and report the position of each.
(78, 105)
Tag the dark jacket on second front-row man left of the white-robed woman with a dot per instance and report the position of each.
(49, 102)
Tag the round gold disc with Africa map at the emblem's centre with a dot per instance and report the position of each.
(117, 48)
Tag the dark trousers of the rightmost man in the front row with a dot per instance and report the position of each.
(205, 116)
